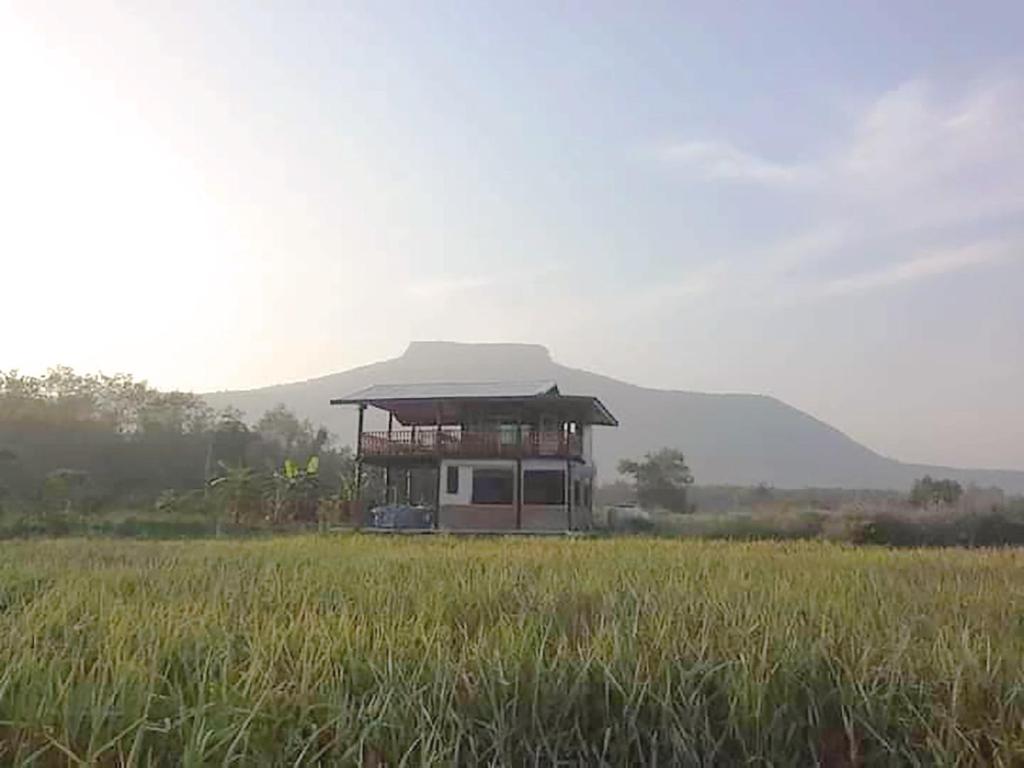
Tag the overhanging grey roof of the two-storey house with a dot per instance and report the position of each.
(449, 403)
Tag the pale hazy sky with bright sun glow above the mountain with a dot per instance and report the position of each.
(824, 202)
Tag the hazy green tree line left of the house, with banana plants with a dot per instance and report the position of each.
(77, 444)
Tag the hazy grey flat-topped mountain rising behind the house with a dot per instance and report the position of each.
(728, 439)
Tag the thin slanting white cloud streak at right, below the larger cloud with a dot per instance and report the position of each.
(929, 266)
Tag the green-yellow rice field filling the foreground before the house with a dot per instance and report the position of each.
(363, 651)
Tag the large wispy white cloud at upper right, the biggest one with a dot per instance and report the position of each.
(913, 157)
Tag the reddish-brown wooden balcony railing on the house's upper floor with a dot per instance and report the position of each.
(447, 444)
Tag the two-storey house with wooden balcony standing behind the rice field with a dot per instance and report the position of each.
(514, 456)
